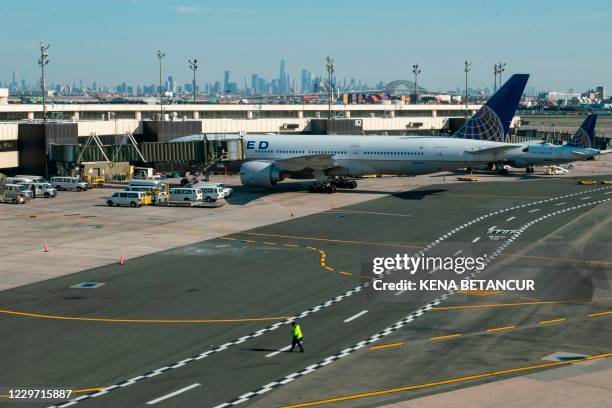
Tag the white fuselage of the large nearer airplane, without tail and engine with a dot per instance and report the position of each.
(357, 155)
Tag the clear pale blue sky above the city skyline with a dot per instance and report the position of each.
(562, 44)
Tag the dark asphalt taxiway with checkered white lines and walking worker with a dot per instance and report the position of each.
(202, 325)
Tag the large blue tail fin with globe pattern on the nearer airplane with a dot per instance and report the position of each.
(492, 121)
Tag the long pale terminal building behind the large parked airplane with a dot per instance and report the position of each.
(27, 145)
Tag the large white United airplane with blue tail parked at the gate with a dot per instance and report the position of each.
(334, 160)
